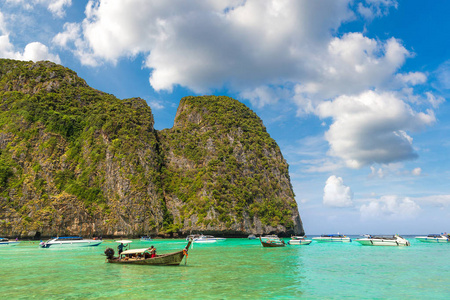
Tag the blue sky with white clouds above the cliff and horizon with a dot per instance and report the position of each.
(355, 93)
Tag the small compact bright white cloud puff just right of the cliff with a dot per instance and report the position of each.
(336, 194)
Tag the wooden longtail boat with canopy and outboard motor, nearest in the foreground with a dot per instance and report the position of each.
(142, 257)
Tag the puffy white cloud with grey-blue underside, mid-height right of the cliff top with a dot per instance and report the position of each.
(372, 128)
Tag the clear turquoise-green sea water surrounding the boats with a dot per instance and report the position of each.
(233, 269)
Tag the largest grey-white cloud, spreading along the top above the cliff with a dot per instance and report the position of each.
(207, 44)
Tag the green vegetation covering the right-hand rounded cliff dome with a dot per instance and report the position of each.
(235, 167)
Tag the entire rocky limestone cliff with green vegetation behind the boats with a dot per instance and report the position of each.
(74, 160)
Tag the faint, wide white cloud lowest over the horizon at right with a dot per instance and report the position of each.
(390, 207)
